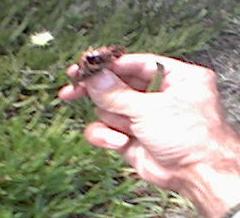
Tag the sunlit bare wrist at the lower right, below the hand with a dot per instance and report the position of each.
(213, 184)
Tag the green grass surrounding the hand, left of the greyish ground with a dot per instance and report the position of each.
(47, 169)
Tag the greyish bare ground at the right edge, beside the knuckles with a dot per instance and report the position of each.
(223, 56)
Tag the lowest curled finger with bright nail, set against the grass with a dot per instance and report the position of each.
(102, 136)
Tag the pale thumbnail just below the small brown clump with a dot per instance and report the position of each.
(103, 81)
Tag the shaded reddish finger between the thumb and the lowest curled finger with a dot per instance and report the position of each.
(115, 121)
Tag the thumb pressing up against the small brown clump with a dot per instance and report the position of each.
(110, 93)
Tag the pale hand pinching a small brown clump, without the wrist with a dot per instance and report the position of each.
(154, 131)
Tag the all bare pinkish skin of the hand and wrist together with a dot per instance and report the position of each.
(176, 138)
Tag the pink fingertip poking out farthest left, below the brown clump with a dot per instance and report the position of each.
(70, 92)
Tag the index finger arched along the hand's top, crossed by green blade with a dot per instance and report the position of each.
(144, 66)
